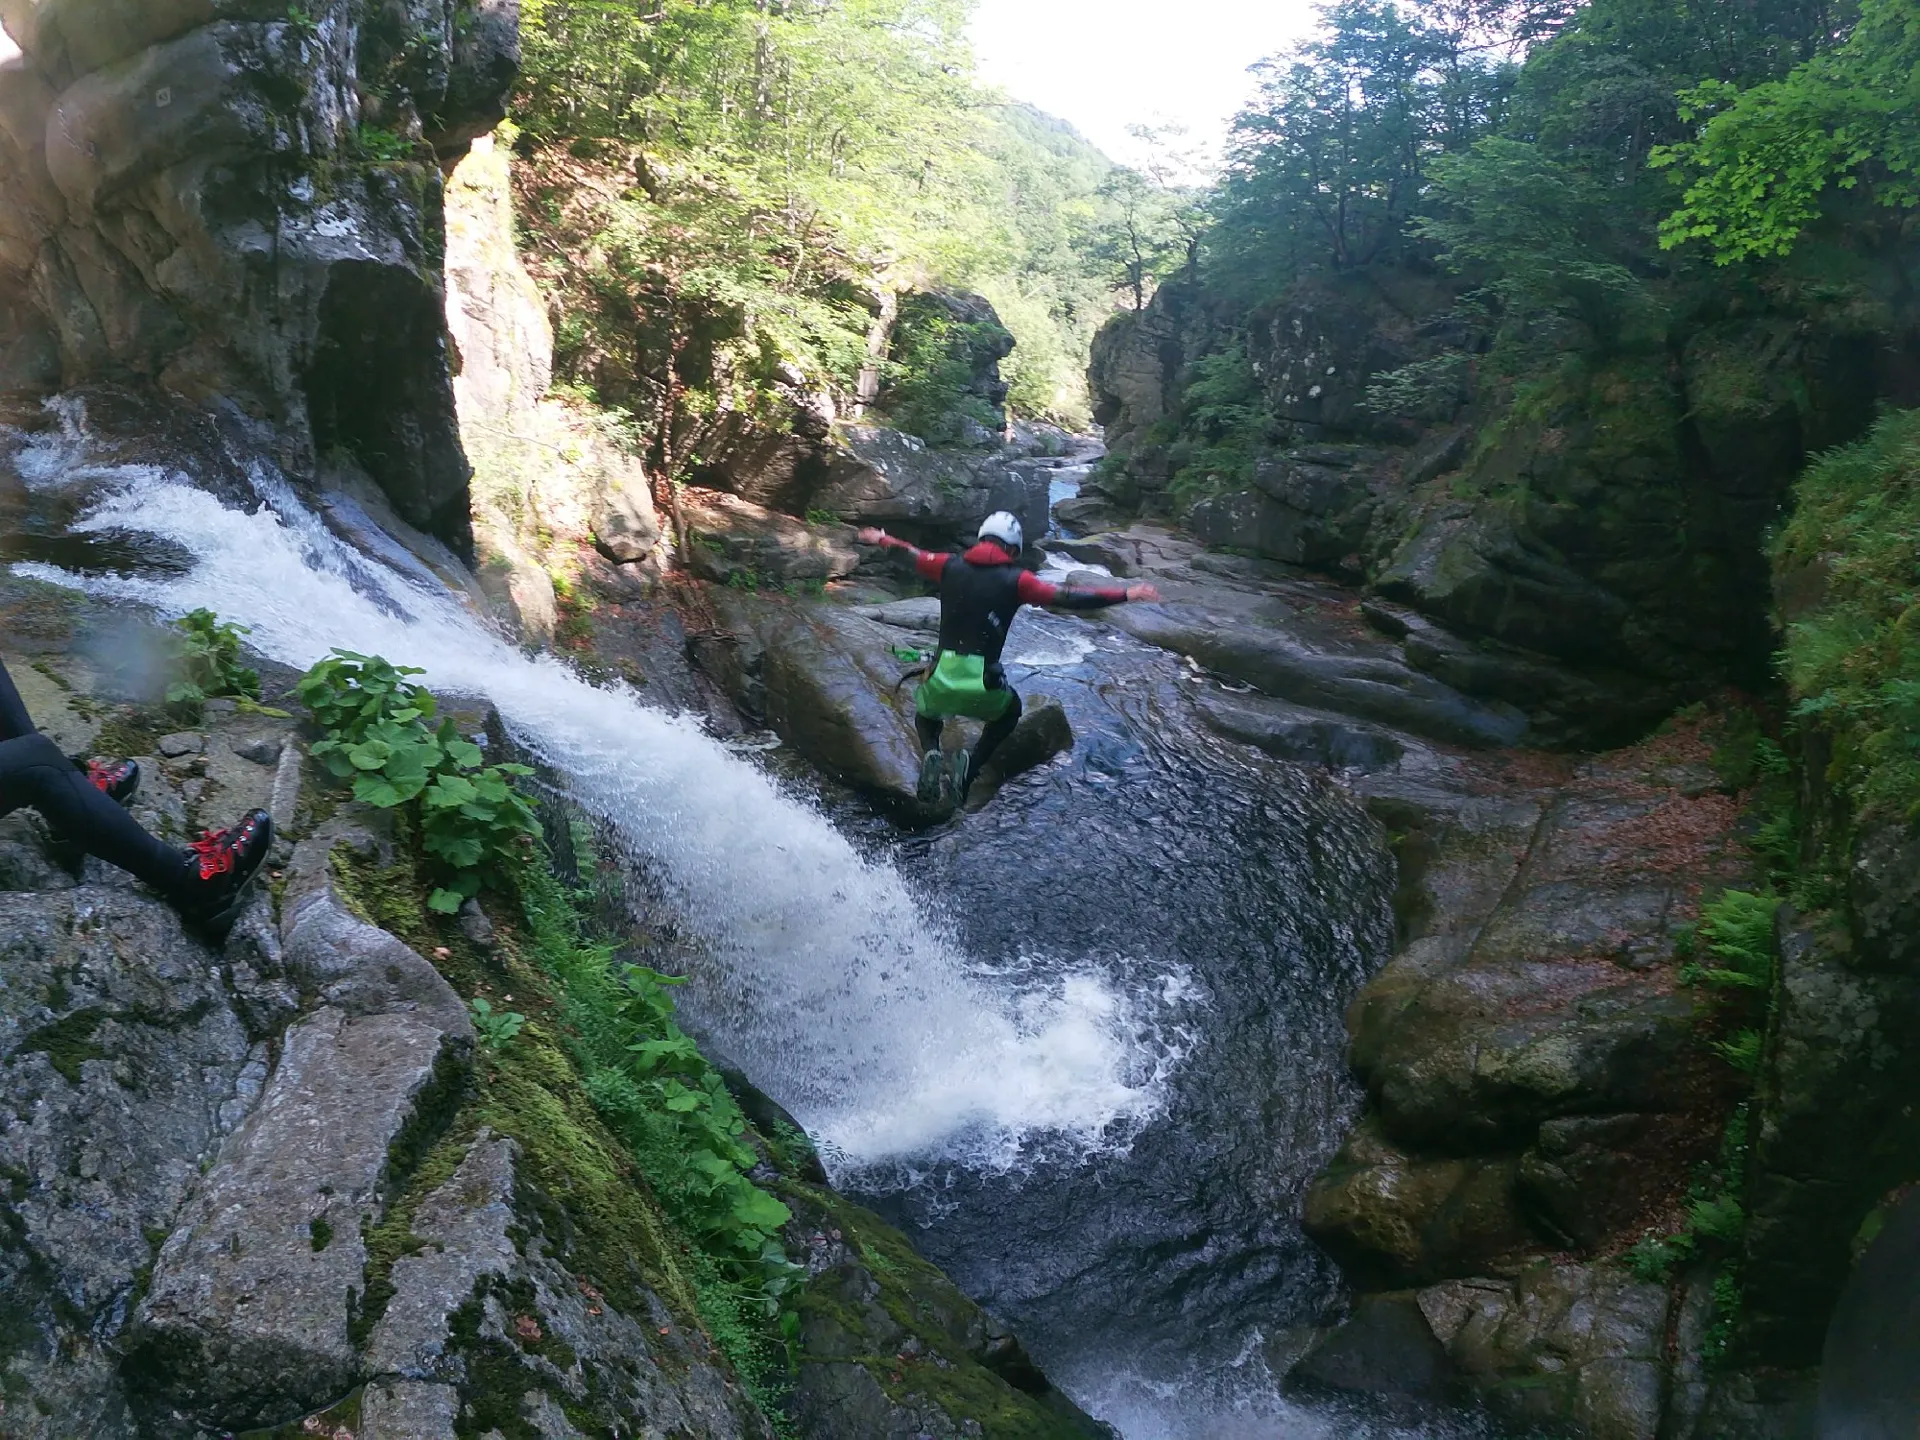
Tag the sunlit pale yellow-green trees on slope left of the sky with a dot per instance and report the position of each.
(748, 187)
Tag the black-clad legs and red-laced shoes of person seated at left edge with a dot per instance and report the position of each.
(85, 805)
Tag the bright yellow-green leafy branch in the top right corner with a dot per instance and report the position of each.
(1765, 160)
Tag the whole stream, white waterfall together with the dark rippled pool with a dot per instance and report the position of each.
(1086, 1045)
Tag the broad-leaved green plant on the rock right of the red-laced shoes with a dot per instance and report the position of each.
(381, 734)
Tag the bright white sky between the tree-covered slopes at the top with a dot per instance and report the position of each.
(1111, 64)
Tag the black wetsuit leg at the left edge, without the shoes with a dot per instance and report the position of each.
(34, 773)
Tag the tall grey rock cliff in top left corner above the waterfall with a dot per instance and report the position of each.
(243, 204)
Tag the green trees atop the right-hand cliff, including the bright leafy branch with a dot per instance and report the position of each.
(1591, 183)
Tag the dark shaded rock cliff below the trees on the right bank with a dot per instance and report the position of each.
(1595, 533)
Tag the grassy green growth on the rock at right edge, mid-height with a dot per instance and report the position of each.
(1854, 646)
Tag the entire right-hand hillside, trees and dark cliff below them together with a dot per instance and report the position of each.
(1583, 283)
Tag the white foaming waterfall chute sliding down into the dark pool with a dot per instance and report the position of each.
(821, 971)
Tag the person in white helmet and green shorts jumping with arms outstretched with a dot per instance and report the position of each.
(980, 596)
